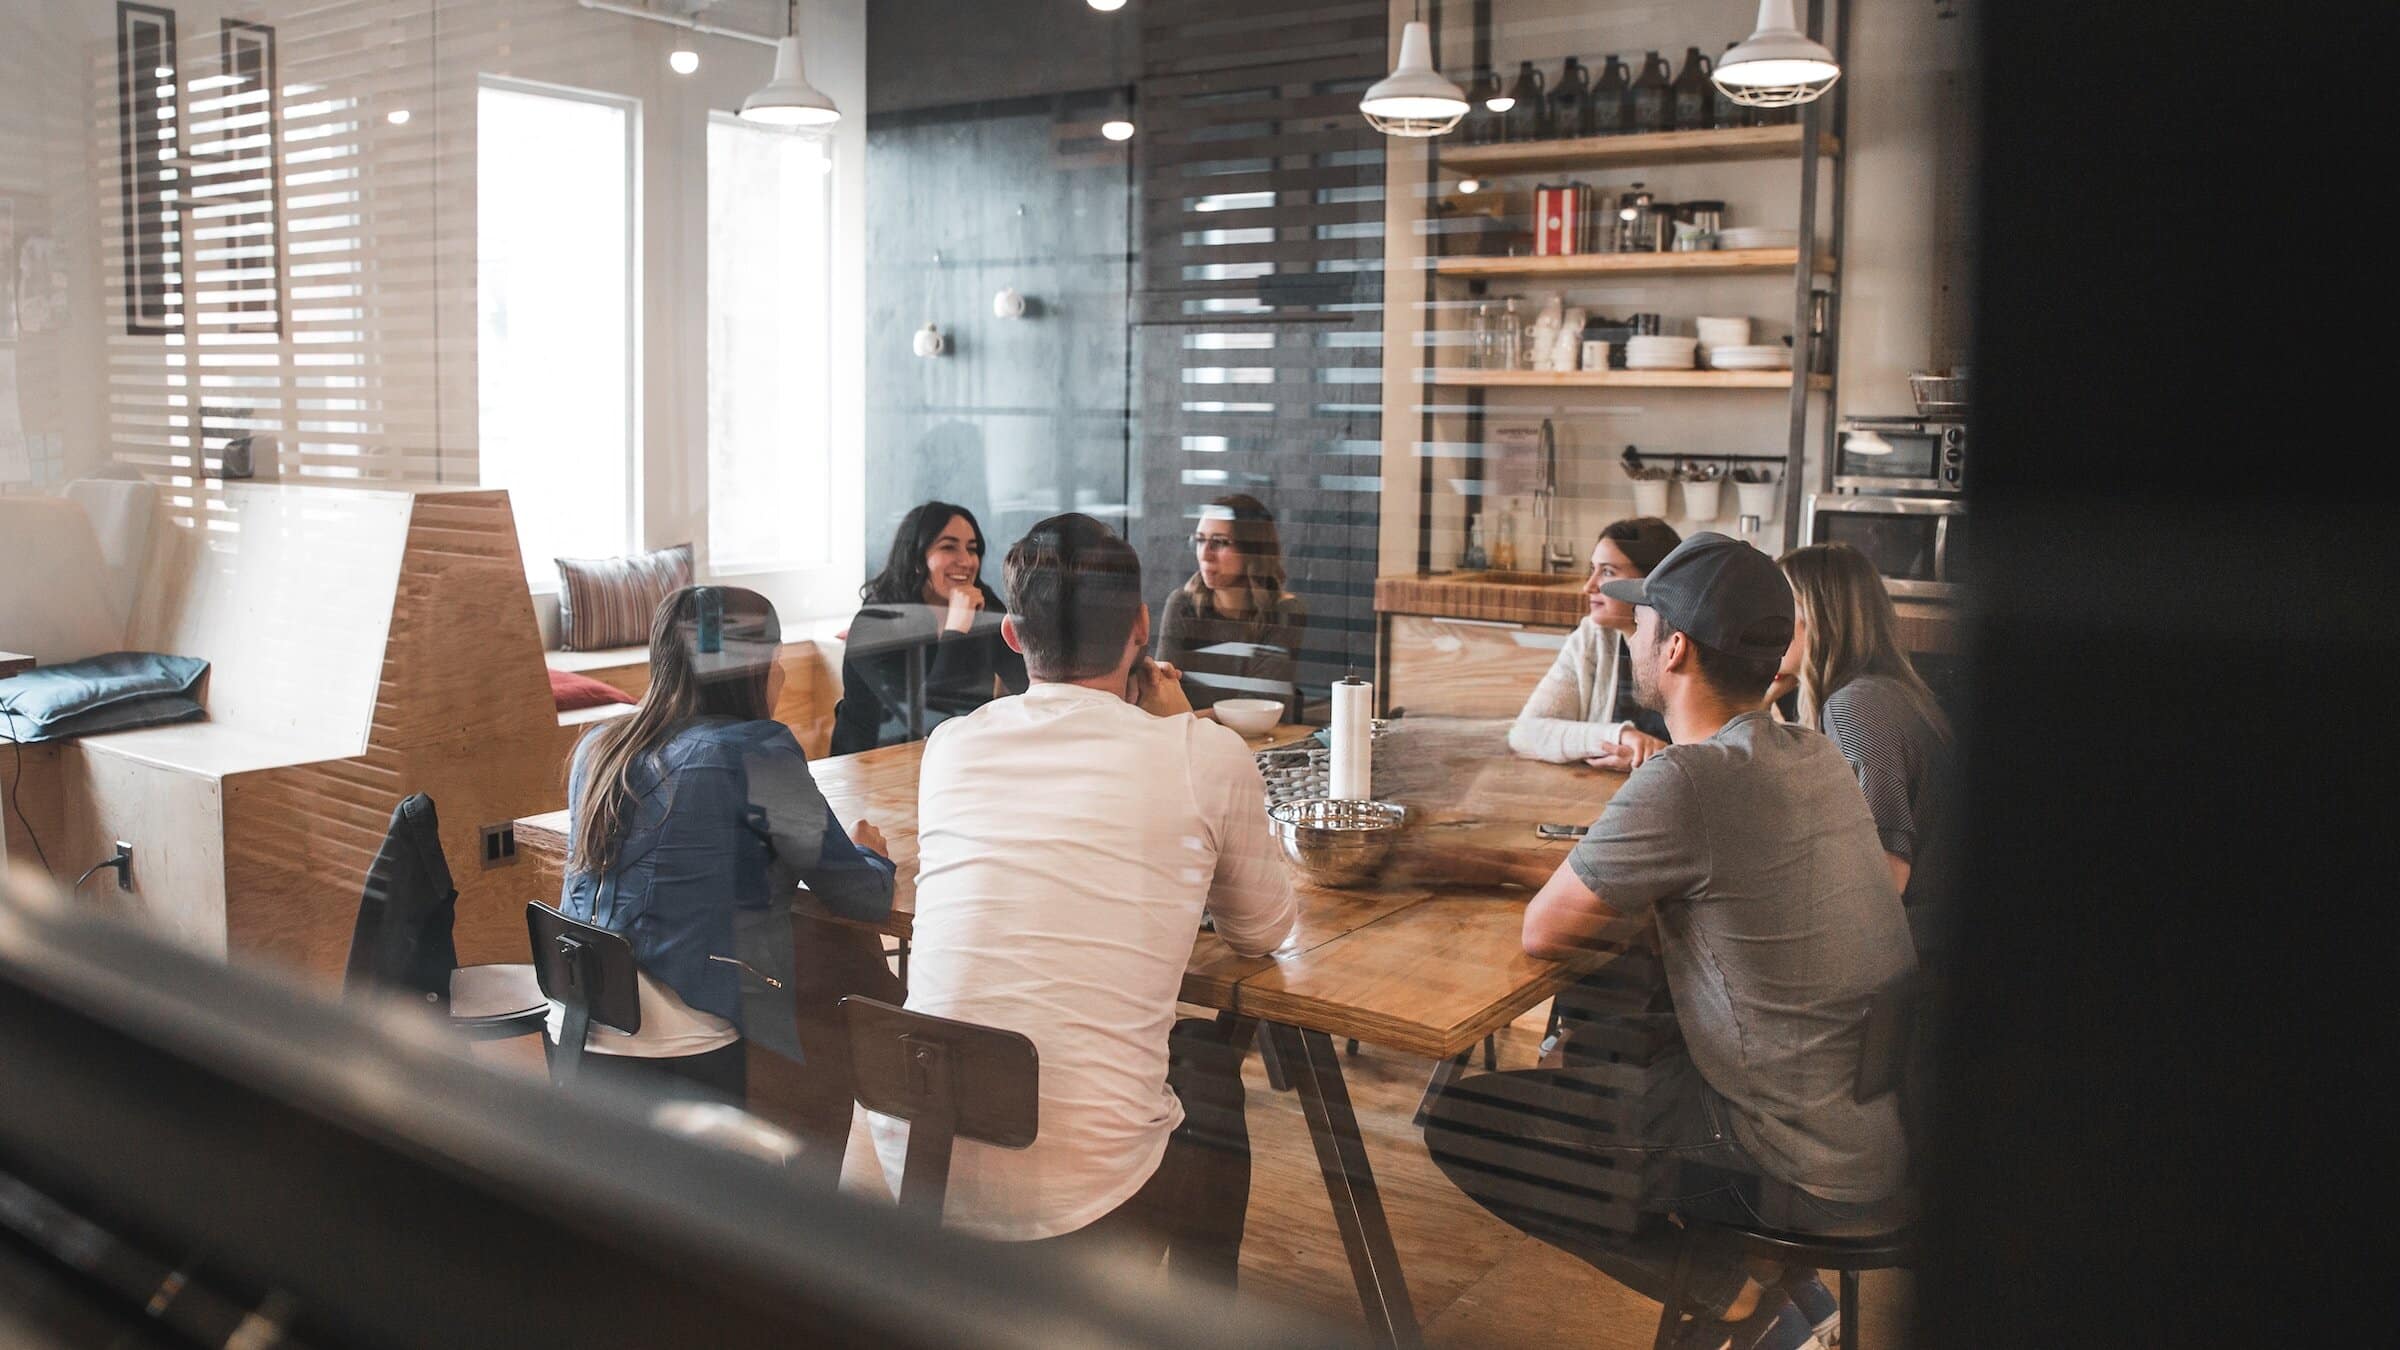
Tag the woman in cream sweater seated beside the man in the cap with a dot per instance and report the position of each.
(1585, 705)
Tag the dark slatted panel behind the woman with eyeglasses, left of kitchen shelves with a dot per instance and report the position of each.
(1261, 294)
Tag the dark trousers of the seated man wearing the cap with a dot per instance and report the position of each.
(1595, 1159)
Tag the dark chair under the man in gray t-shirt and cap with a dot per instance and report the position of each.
(1888, 1061)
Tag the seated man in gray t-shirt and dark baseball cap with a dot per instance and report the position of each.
(1751, 856)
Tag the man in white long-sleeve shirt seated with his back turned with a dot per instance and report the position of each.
(1067, 844)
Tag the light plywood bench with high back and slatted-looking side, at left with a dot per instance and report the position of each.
(364, 645)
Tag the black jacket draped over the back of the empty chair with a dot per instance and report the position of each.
(407, 912)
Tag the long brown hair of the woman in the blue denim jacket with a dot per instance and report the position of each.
(695, 674)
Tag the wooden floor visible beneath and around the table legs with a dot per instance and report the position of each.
(1475, 1279)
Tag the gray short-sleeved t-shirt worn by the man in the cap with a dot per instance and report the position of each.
(1777, 926)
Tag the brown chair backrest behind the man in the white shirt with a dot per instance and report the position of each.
(949, 1080)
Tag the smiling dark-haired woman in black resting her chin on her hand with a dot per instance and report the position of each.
(928, 609)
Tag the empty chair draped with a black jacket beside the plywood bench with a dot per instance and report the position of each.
(404, 936)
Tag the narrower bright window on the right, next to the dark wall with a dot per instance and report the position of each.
(769, 366)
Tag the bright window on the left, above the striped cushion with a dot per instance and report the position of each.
(556, 289)
